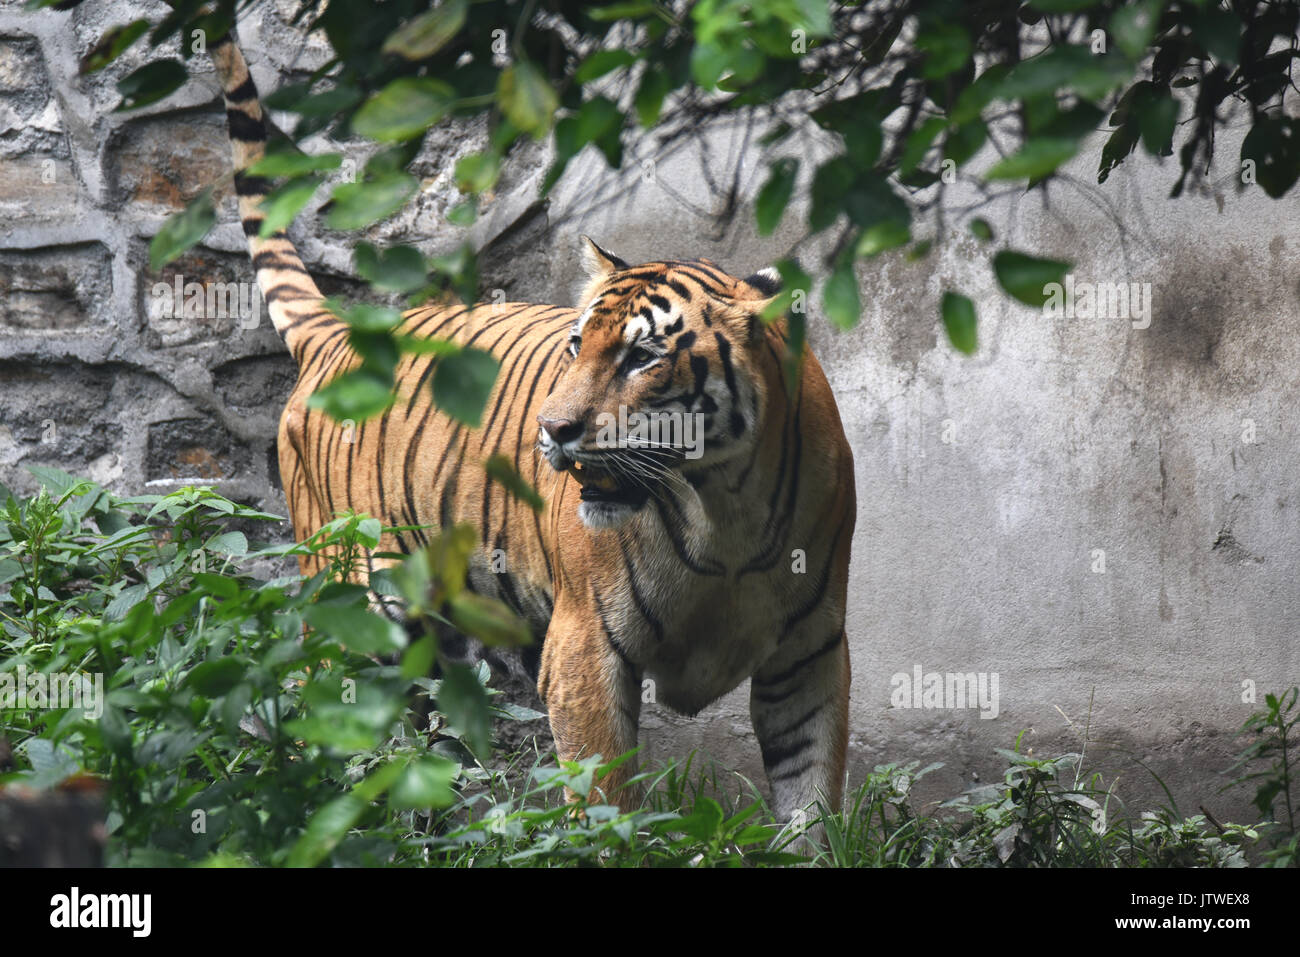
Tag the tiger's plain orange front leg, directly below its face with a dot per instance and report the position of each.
(592, 695)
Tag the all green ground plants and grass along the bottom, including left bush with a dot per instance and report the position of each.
(289, 721)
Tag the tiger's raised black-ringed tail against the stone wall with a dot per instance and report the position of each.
(293, 301)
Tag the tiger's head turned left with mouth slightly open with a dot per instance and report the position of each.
(661, 382)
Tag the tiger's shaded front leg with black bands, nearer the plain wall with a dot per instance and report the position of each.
(800, 707)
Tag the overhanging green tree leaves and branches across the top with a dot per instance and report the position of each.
(916, 96)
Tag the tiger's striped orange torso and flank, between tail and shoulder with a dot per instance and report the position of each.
(415, 466)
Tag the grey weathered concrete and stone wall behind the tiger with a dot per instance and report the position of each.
(1104, 517)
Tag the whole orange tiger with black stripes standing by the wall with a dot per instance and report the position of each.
(691, 568)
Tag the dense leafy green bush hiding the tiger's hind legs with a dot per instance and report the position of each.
(227, 726)
